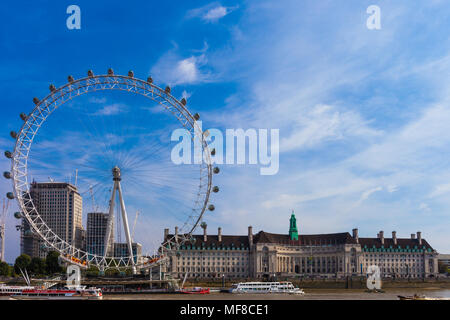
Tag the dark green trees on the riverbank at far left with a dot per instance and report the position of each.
(34, 266)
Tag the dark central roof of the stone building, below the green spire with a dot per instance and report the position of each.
(310, 239)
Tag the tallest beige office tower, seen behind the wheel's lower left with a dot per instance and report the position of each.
(61, 207)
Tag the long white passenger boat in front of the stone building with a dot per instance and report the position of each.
(266, 287)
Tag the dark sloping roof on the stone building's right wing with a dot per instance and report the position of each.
(402, 244)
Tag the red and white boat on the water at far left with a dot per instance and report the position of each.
(72, 293)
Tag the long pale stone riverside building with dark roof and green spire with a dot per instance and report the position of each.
(293, 255)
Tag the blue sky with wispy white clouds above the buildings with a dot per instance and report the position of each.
(362, 114)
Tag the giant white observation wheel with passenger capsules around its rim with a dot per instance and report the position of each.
(118, 161)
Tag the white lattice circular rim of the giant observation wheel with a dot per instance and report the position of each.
(20, 170)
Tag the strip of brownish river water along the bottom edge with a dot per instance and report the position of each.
(310, 294)
